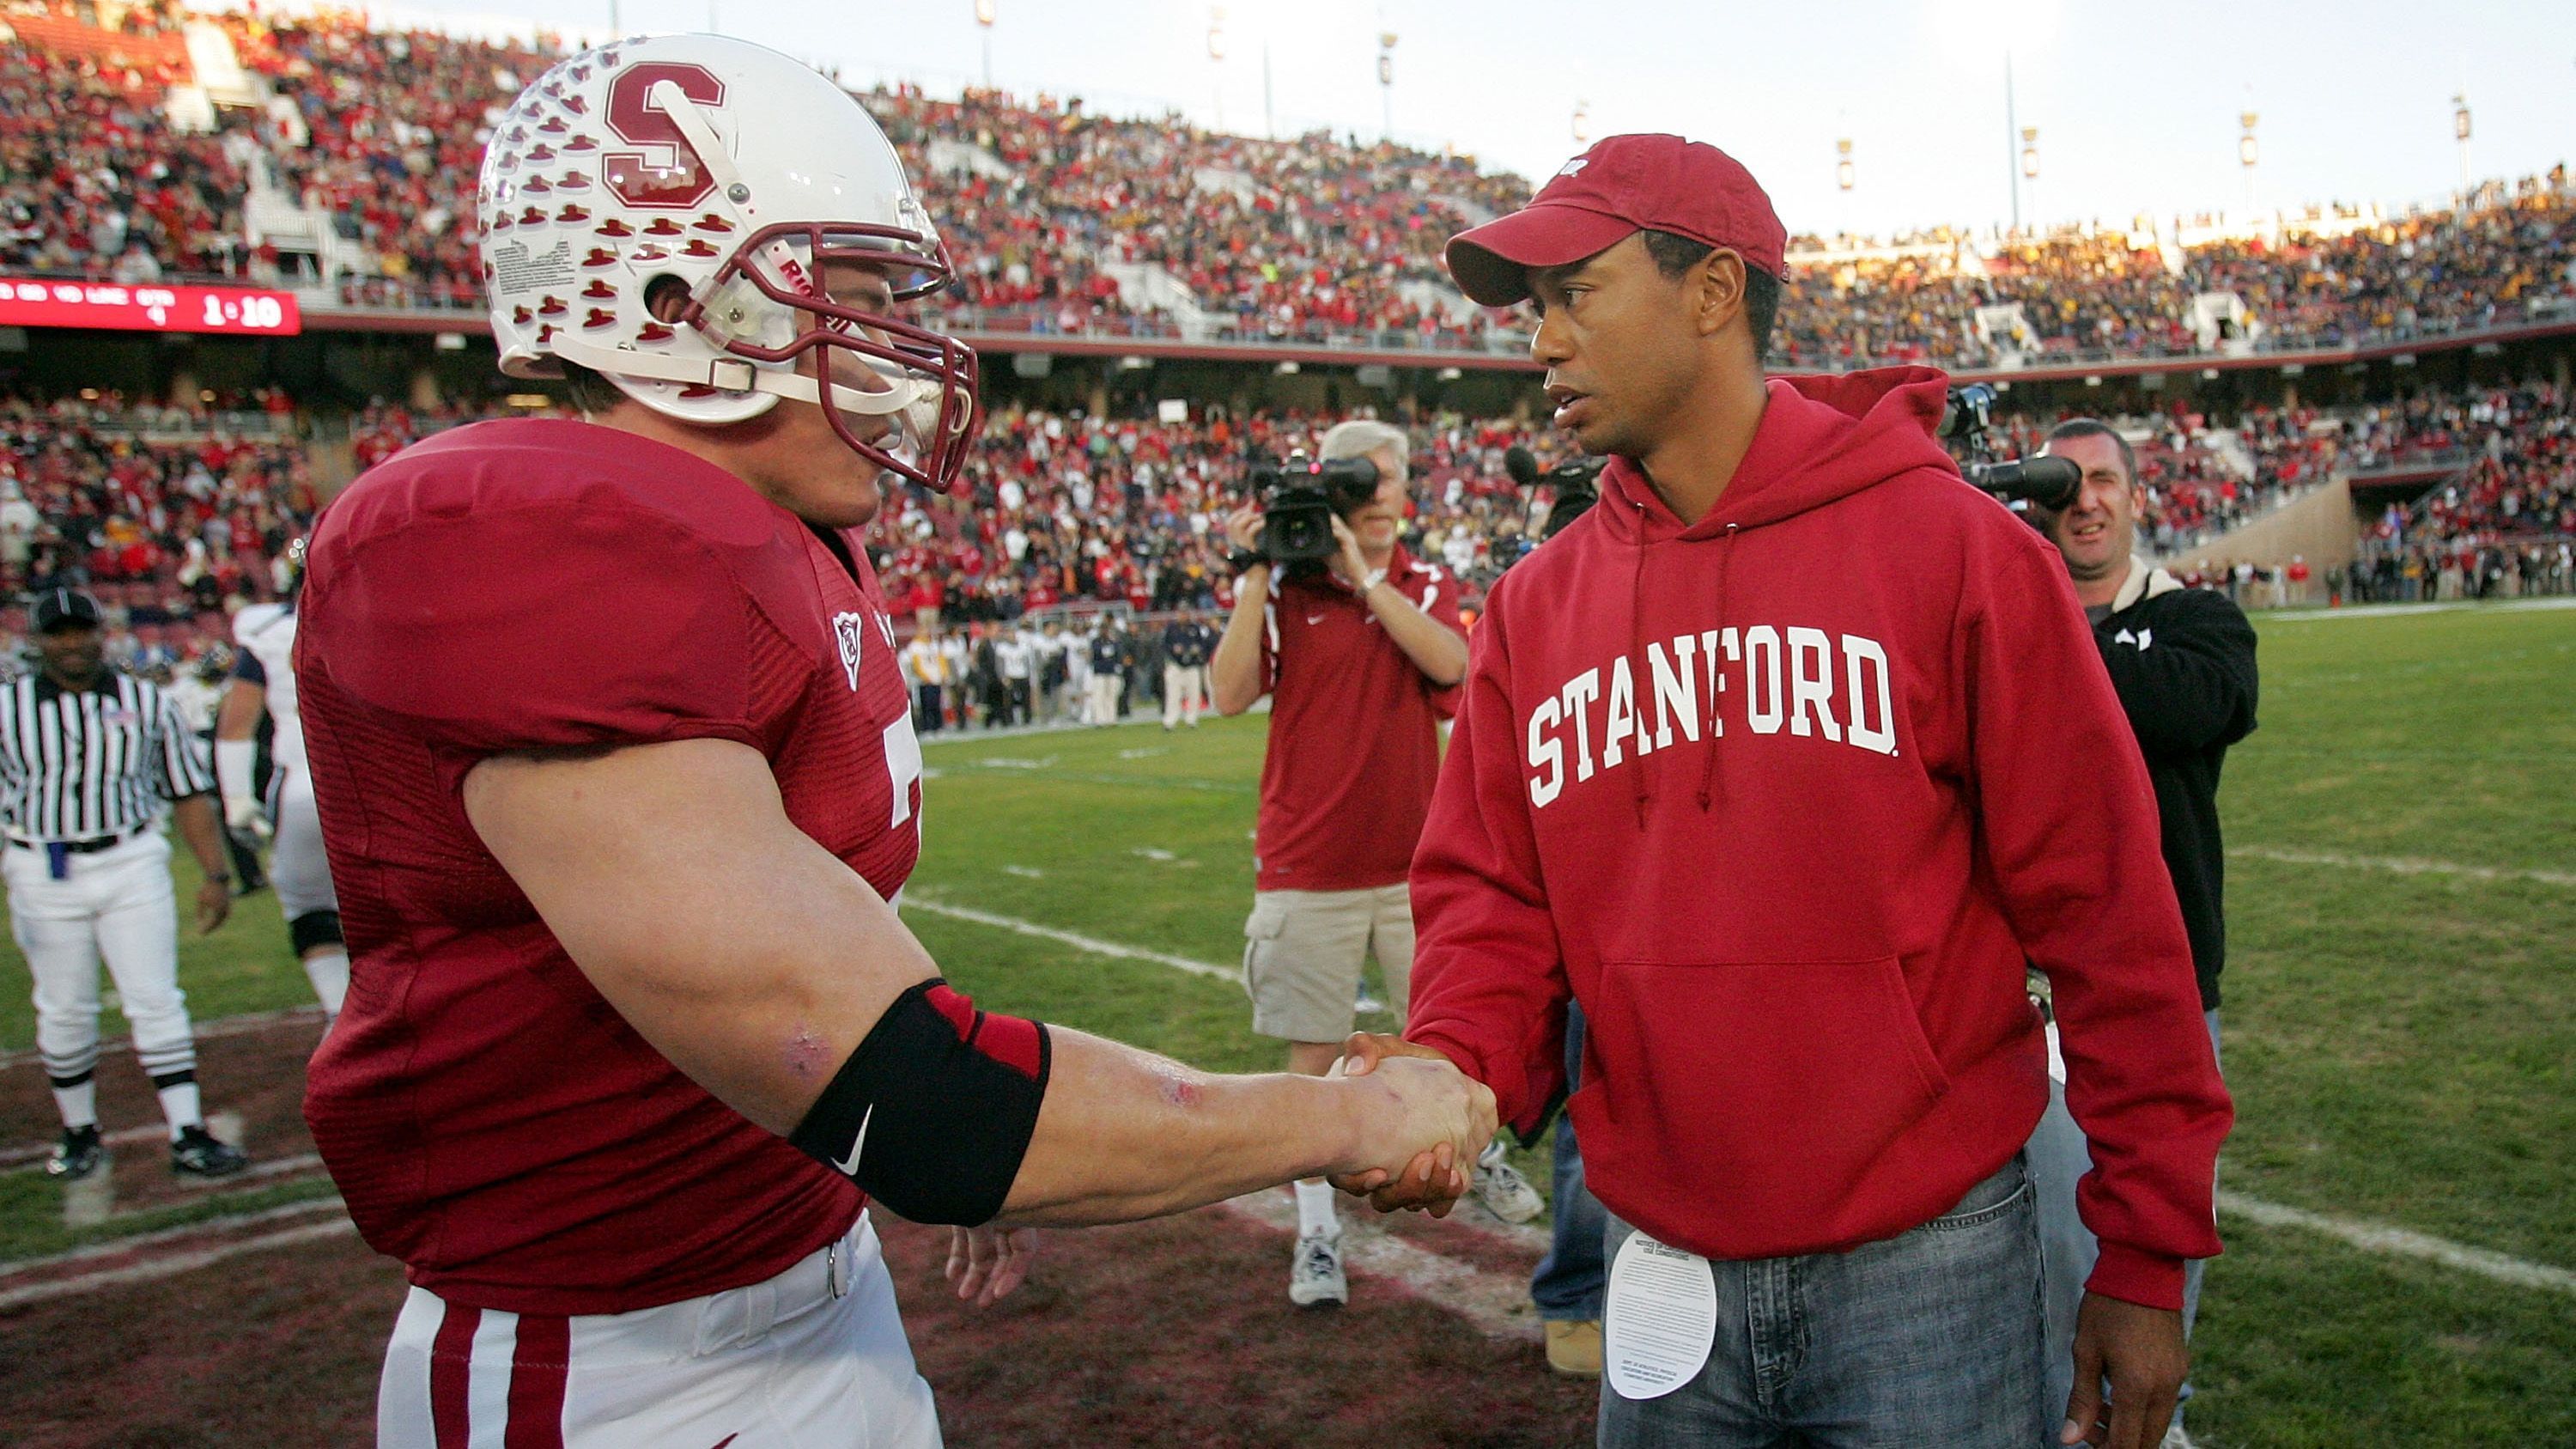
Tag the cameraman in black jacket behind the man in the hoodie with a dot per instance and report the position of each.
(2183, 664)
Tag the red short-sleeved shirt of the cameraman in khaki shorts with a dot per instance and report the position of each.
(1354, 734)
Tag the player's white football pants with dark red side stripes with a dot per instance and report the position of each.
(787, 1363)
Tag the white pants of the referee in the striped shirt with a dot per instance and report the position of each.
(115, 904)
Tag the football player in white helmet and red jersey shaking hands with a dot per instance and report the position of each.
(620, 780)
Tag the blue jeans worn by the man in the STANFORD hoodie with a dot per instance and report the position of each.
(1931, 1337)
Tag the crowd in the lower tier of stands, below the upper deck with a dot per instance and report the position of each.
(179, 514)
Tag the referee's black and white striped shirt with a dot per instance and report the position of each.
(97, 762)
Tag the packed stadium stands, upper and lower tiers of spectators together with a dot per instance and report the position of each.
(1078, 223)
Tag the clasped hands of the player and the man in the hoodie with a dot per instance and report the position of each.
(1421, 1125)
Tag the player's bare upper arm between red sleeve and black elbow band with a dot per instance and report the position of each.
(746, 953)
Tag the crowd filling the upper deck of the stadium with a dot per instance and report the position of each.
(1312, 238)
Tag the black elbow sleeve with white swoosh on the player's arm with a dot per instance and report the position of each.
(934, 1113)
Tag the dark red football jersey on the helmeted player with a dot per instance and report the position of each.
(547, 584)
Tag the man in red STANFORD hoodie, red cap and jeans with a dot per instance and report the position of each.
(1786, 762)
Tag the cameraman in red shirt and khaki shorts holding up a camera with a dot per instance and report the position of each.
(1359, 659)
